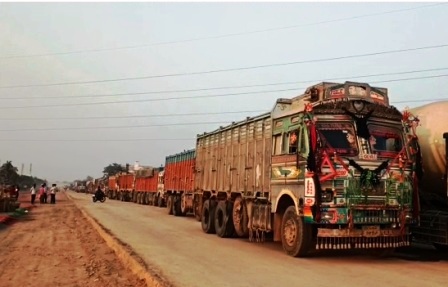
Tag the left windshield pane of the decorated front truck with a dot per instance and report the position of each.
(338, 137)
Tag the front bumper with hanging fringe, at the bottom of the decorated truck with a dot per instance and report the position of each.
(371, 236)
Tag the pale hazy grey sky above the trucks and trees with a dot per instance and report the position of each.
(84, 85)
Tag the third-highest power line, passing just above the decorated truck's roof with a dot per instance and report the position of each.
(228, 87)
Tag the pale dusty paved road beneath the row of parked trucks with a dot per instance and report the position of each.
(178, 250)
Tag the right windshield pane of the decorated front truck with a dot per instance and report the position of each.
(386, 142)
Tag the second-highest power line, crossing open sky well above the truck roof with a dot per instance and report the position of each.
(233, 69)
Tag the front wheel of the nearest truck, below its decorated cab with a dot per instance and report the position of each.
(296, 235)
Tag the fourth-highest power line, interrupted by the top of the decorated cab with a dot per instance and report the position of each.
(200, 97)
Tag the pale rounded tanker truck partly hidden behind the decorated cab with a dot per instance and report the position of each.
(433, 139)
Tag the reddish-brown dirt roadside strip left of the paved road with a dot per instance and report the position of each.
(54, 245)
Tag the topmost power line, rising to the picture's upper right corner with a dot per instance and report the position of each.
(220, 36)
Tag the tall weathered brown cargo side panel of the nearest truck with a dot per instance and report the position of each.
(237, 158)
